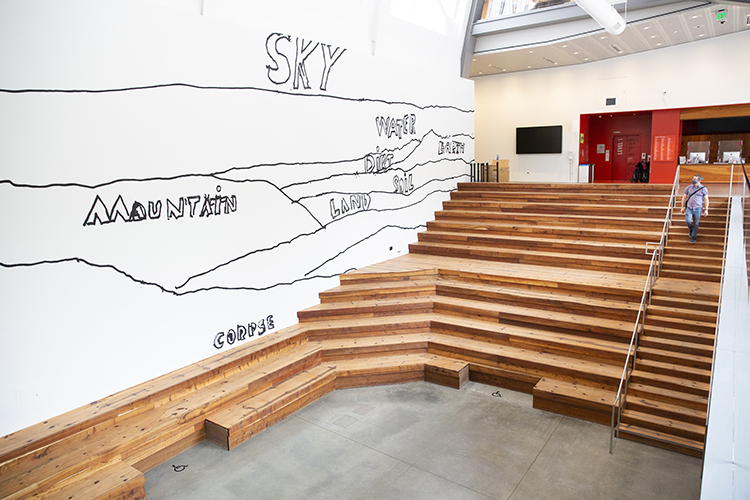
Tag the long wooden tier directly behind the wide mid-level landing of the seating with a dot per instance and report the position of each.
(588, 262)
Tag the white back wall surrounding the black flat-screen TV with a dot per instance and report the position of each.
(683, 76)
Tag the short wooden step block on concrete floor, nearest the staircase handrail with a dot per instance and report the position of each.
(575, 400)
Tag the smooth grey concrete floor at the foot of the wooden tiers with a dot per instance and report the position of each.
(424, 441)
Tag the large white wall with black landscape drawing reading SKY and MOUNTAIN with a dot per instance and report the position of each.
(114, 110)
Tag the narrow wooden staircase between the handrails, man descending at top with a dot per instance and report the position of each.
(668, 397)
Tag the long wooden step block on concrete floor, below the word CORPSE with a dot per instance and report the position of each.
(236, 424)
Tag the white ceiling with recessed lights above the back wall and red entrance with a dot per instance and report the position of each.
(525, 46)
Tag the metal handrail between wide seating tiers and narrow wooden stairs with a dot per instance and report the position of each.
(654, 271)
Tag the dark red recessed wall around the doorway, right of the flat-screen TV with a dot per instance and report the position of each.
(601, 130)
